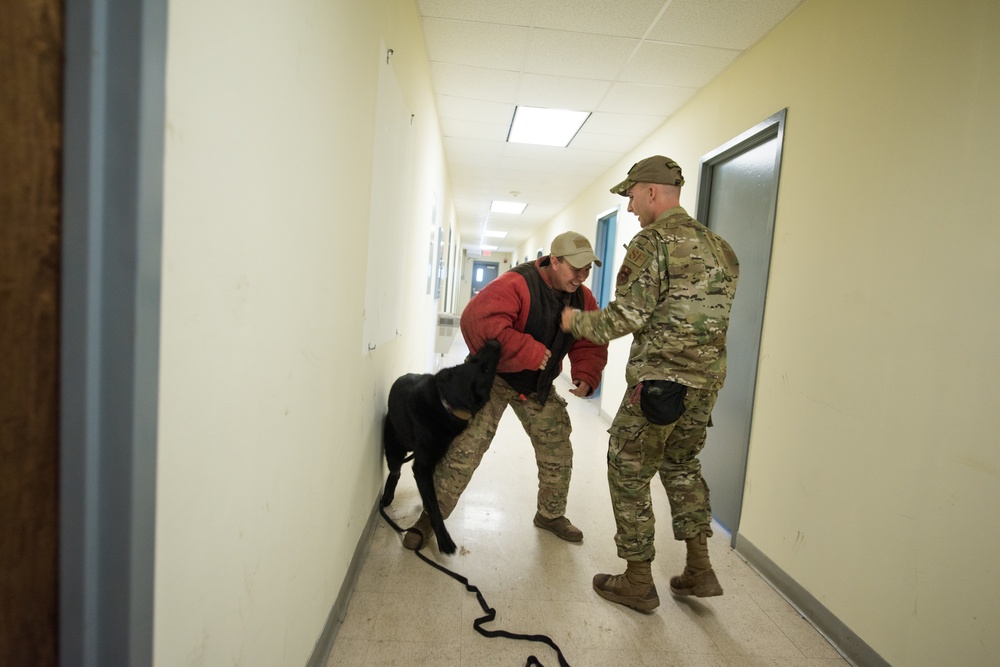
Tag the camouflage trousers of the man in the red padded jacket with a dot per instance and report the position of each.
(548, 428)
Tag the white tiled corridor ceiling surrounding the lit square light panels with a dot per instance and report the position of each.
(632, 63)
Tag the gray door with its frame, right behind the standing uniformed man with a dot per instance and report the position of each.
(737, 198)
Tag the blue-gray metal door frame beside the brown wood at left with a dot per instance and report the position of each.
(113, 115)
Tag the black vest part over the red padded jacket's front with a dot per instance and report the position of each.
(544, 315)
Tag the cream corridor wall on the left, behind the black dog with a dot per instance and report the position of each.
(269, 450)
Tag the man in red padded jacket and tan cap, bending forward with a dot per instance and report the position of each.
(522, 309)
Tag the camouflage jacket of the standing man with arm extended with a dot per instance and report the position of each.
(674, 293)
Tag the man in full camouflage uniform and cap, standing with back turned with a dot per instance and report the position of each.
(674, 293)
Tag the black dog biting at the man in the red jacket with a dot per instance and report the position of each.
(426, 412)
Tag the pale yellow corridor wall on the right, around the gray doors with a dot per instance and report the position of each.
(874, 470)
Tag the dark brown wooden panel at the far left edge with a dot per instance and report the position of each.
(31, 45)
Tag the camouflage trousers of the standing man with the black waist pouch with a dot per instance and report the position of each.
(637, 450)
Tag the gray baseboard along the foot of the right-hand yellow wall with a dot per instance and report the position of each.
(852, 647)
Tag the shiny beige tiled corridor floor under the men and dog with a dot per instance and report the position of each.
(404, 612)
